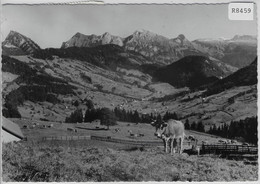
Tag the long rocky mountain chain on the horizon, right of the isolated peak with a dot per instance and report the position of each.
(237, 52)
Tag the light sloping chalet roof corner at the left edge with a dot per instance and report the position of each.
(11, 128)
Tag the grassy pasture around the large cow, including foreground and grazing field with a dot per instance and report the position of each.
(91, 160)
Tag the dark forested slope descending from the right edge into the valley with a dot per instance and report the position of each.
(244, 77)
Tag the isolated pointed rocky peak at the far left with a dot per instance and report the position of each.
(18, 44)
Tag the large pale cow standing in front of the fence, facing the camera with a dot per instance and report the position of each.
(172, 131)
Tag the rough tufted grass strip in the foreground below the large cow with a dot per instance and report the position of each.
(53, 163)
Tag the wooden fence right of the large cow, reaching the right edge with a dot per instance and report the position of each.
(227, 149)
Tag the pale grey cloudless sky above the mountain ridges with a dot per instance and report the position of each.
(50, 25)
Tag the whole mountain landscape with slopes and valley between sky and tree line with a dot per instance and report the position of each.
(118, 72)
